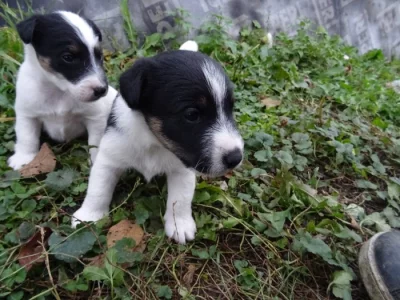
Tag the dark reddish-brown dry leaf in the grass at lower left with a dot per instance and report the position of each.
(31, 252)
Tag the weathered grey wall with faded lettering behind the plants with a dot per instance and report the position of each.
(365, 24)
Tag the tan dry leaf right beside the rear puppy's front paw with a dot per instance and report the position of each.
(44, 162)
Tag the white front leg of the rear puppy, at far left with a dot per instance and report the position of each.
(27, 130)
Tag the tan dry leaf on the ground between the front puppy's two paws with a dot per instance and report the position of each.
(125, 229)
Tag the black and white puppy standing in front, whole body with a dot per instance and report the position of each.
(174, 116)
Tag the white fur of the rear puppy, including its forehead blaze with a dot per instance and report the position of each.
(47, 100)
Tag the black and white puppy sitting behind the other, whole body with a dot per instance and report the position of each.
(58, 84)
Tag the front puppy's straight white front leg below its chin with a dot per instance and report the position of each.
(179, 223)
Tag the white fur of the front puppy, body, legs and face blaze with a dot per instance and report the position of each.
(133, 145)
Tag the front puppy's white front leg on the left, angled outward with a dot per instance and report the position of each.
(102, 180)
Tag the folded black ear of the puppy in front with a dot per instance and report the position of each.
(132, 82)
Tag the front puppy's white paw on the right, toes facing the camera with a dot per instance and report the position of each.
(180, 228)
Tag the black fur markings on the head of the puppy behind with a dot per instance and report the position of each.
(59, 44)
